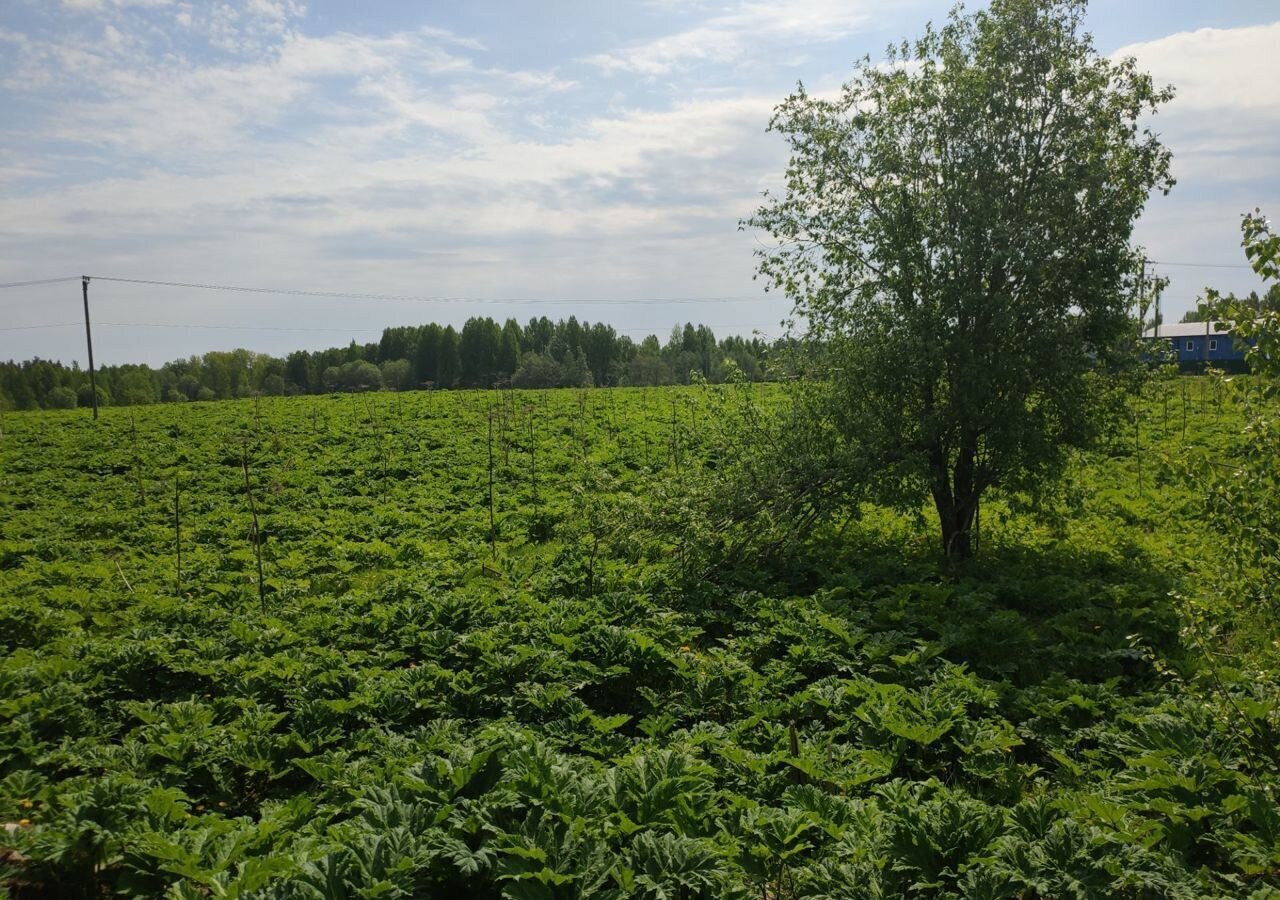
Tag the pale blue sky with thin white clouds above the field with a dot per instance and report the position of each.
(511, 159)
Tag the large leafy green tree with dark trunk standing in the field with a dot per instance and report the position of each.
(957, 227)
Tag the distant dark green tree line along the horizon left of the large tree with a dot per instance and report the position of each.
(484, 354)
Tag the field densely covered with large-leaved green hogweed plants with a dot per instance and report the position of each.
(435, 645)
